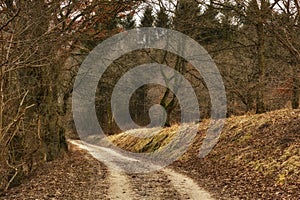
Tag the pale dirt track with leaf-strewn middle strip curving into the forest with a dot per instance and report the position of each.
(163, 184)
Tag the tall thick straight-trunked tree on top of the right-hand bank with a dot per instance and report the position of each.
(251, 17)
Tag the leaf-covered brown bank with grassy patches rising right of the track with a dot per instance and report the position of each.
(257, 156)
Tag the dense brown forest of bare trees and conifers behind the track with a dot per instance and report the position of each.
(255, 44)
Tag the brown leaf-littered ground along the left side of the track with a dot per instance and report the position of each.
(75, 175)
